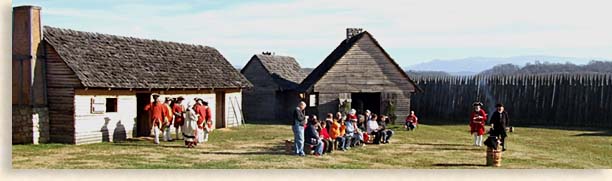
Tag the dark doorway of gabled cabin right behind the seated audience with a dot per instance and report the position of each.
(366, 101)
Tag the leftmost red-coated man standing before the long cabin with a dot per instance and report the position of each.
(157, 113)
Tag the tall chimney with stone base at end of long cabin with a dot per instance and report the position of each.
(30, 115)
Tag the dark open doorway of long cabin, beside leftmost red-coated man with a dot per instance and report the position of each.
(143, 125)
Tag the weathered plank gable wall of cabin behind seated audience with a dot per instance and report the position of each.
(364, 68)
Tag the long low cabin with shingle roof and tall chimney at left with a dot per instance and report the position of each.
(80, 87)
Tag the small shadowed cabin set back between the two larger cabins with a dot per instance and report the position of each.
(273, 96)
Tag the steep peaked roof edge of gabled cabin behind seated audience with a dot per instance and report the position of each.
(307, 84)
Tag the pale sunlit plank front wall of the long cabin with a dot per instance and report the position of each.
(120, 125)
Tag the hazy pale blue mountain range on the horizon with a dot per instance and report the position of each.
(474, 65)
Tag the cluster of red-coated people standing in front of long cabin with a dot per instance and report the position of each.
(193, 119)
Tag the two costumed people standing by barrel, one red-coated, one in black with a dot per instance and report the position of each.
(499, 122)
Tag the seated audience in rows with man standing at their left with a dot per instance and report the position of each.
(337, 132)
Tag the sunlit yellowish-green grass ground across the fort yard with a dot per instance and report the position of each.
(262, 146)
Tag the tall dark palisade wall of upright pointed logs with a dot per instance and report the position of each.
(581, 100)
